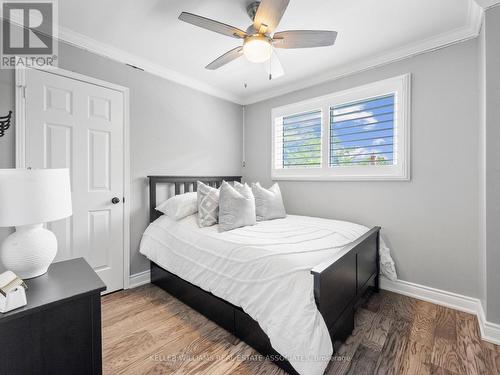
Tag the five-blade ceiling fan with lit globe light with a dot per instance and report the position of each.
(260, 38)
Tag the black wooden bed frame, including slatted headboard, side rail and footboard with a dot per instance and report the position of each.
(340, 285)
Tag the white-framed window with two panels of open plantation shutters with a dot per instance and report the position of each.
(357, 134)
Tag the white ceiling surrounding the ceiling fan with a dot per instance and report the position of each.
(147, 33)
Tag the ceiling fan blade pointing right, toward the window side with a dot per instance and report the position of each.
(304, 38)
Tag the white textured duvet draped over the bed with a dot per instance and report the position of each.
(265, 269)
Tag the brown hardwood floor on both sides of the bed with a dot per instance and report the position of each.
(147, 331)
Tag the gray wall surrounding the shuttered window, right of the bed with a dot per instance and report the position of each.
(431, 222)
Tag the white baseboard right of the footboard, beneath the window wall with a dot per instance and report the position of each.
(489, 331)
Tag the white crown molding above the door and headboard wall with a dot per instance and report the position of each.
(84, 42)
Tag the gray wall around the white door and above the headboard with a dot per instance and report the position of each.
(173, 130)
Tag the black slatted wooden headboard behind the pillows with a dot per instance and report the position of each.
(181, 184)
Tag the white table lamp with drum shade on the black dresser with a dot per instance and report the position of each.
(29, 198)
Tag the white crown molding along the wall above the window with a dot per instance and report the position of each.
(469, 31)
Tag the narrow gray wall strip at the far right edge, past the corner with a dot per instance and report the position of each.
(492, 193)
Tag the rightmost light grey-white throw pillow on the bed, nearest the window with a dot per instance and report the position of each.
(268, 202)
